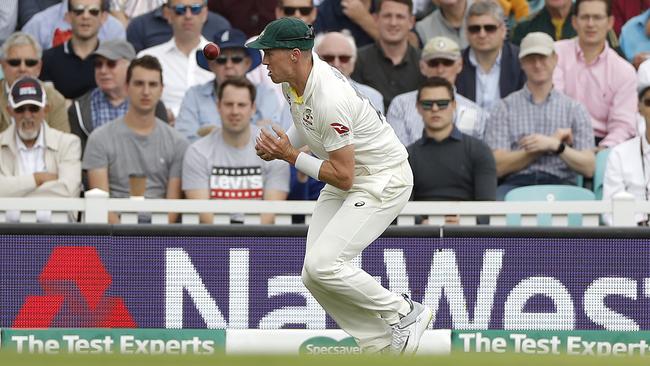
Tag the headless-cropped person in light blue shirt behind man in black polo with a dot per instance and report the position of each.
(52, 26)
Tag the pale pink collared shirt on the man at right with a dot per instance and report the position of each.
(606, 87)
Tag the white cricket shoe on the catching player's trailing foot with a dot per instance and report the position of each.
(409, 330)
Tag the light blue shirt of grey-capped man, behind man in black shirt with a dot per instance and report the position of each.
(403, 116)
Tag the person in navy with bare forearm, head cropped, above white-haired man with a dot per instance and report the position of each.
(357, 16)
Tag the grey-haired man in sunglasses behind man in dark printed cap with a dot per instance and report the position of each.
(21, 56)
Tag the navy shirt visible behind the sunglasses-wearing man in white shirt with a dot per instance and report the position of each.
(151, 29)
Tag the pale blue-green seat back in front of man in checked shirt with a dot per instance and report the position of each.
(549, 193)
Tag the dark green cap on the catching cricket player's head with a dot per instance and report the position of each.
(285, 33)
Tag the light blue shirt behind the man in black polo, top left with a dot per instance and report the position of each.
(42, 25)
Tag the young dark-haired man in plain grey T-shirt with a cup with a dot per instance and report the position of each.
(138, 143)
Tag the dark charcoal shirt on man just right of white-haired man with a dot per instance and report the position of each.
(376, 70)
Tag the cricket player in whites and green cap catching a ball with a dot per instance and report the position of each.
(368, 178)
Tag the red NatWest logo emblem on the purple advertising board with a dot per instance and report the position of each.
(74, 281)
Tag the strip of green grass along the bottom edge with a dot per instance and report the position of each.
(456, 360)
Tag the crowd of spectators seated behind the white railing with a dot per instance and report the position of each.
(487, 95)
